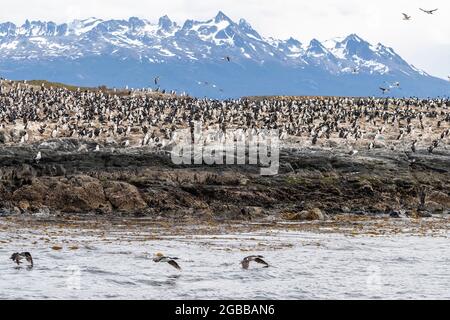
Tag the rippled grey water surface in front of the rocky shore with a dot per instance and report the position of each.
(116, 263)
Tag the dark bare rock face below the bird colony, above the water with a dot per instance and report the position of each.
(138, 181)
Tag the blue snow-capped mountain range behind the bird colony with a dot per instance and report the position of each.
(193, 57)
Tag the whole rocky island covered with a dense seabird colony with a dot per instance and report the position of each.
(72, 150)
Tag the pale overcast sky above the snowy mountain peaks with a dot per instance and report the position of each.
(424, 41)
